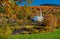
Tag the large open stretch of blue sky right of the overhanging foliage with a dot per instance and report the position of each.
(39, 2)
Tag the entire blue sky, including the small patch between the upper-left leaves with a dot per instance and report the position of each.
(39, 2)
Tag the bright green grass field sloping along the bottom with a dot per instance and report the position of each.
(49, 35)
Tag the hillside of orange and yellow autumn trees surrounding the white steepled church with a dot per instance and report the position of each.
(13, 19)
